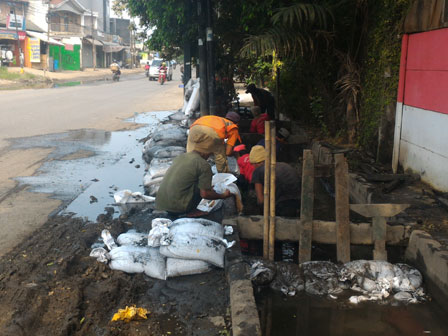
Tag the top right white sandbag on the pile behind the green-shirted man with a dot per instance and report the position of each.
(197, 226)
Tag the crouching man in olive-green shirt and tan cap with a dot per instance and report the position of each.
(187, 181)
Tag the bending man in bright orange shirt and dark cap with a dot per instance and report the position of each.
(220, 135)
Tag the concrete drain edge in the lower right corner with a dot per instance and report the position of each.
(428, 256)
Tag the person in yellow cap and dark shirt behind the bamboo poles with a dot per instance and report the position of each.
(287, 184)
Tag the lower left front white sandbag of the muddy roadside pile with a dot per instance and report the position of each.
(138, 259)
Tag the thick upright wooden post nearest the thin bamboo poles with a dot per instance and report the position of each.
(306, 208)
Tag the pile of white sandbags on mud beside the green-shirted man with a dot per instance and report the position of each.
(183, 247)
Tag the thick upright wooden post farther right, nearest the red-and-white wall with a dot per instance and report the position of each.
(342, 209)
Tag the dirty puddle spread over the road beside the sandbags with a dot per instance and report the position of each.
(104, 163)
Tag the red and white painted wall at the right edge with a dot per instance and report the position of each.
(421, 122)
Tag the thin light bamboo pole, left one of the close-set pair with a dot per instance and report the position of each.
(267, 169)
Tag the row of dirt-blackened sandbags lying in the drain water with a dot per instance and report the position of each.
(374, 280)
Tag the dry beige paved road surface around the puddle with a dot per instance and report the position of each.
(25, 113)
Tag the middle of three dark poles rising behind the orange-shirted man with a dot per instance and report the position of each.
(203, 94)
